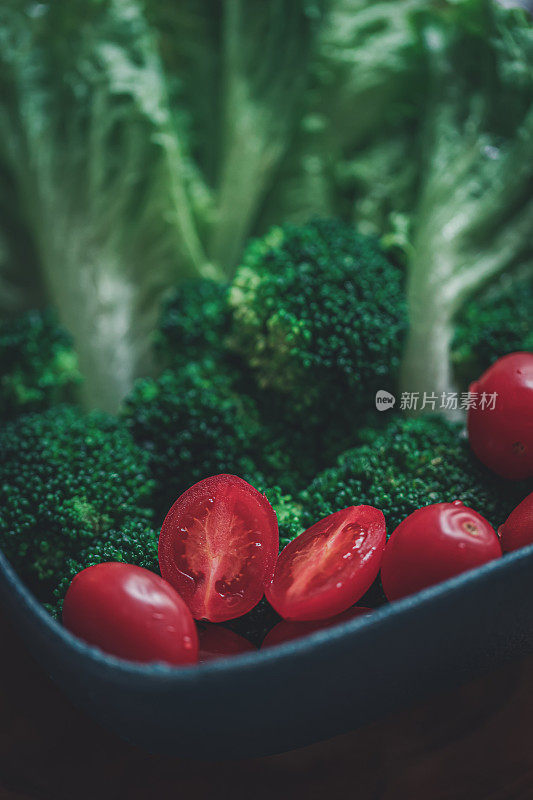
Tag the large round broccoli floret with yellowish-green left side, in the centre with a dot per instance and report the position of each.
(319, 313)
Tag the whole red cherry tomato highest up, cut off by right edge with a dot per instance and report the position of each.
(502, 438)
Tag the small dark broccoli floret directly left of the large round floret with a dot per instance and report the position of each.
(194, 323)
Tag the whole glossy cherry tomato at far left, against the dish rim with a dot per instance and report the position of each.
(131, 613)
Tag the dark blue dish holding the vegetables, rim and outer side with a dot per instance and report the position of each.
(300, 692)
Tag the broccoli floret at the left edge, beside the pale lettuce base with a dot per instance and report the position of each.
(38, 365)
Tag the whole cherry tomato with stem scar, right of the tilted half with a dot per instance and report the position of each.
(433, 544)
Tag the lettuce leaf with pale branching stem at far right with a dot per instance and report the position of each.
(474, 211)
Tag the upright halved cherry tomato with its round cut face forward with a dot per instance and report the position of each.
(218, 547)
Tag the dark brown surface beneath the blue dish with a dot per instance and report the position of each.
(474, 743)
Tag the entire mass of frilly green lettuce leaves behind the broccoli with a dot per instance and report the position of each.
(144, 143)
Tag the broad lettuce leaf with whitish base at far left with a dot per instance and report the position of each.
(92, 149)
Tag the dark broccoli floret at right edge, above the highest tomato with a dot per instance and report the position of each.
(495, 323)
